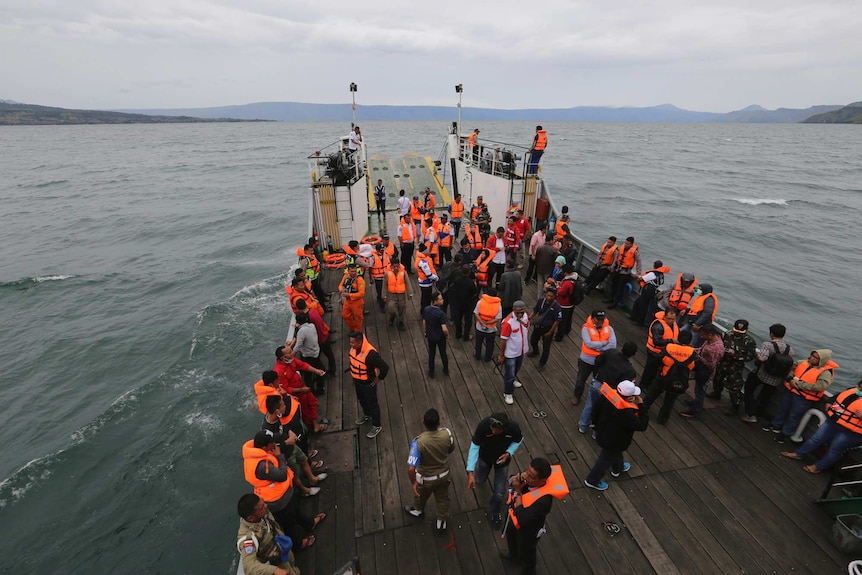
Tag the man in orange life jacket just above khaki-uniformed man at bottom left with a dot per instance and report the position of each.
(266, 469)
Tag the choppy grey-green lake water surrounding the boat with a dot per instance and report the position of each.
(142, 292)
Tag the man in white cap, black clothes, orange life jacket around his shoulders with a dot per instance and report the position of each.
(618, 414)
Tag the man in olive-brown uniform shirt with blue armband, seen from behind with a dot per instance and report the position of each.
(428, 468)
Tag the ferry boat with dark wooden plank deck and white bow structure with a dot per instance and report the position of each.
(710, 495)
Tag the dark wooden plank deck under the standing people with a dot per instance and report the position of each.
(704, 496)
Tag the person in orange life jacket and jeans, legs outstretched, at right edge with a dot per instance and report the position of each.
(841, 431)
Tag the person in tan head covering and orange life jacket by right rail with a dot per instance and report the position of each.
(801, 391)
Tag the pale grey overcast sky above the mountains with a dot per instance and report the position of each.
(709, 55)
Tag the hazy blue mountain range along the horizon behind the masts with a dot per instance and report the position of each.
(299, 112)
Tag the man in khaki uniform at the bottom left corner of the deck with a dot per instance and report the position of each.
(256, 539)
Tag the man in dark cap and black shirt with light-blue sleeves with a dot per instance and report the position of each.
(495, 441)
